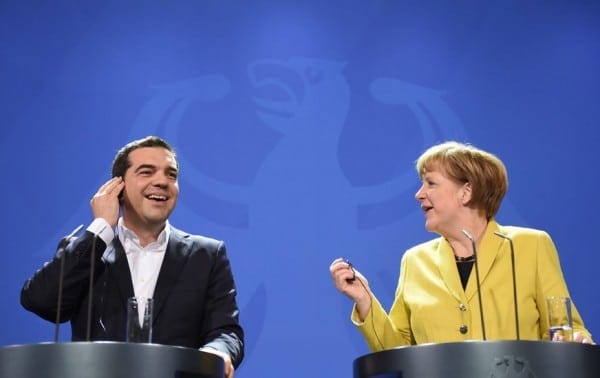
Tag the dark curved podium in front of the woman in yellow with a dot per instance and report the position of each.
(479, 359)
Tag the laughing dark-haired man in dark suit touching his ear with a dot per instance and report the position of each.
(141, 254)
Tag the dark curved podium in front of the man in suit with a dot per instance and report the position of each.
(107, 360)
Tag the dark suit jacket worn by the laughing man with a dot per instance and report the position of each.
(194, 300)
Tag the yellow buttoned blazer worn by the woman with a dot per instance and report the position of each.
(430, 305)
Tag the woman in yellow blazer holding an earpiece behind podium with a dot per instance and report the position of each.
(437, 299)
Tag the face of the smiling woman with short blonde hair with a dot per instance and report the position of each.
(441, 200)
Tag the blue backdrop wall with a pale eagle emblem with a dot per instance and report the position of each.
(297, 124)
